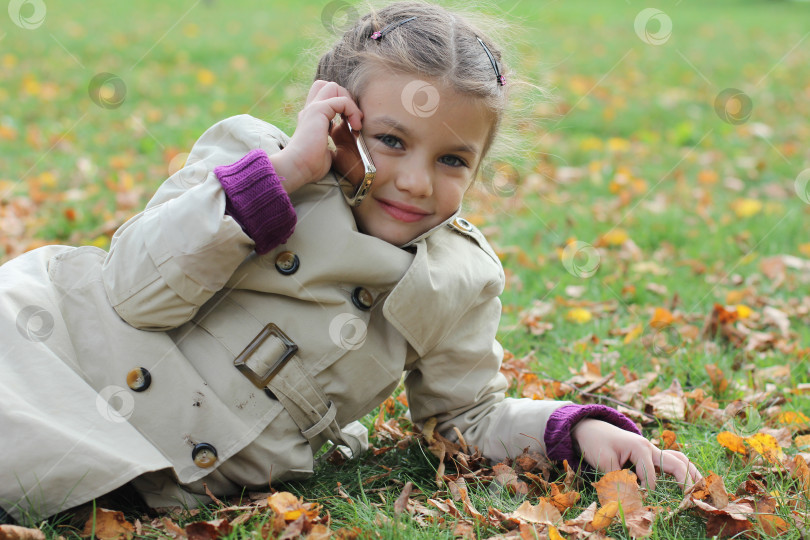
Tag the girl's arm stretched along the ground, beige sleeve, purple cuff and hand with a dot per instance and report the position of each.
(458, 382)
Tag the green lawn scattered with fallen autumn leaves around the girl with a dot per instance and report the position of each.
(651, 211)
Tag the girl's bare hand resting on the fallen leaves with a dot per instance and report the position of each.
(606, 447)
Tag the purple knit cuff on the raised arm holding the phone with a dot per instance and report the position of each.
(255, 198)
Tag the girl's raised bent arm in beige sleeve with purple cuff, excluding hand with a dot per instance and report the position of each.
(167, 261)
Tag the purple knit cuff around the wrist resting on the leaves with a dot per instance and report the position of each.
(558, 438)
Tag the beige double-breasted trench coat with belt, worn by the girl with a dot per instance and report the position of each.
(182, 294)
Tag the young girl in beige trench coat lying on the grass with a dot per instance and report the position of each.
(249, 314)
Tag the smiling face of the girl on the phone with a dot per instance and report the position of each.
(426, 143)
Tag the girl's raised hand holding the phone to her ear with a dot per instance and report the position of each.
(307, 158)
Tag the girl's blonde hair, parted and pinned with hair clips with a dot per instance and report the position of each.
(439, 44)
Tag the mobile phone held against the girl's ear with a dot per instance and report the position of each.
(352, 161)
